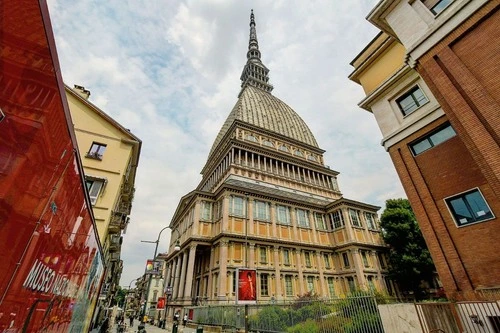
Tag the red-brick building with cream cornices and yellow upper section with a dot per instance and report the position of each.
(437, 105)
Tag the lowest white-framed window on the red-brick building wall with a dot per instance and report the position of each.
(469, 207)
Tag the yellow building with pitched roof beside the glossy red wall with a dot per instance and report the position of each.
(110, 156)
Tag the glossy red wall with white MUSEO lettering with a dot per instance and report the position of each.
(51, 263)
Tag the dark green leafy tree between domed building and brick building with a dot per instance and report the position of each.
(410, 262)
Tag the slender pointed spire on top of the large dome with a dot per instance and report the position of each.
(254, 73)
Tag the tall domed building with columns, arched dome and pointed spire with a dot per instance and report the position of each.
(268, 204)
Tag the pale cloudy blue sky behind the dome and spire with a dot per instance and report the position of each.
(169, 71)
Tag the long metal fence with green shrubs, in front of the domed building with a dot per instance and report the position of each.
(356, 314)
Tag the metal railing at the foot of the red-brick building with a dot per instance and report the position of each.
(467, 317)
